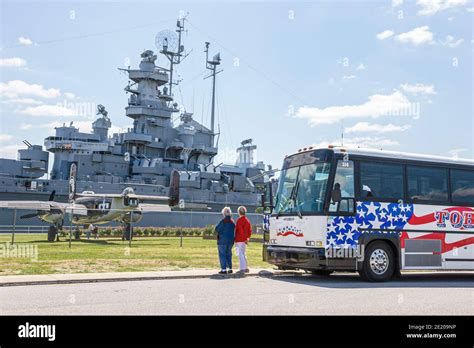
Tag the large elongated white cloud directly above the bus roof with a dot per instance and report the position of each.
(377, 105)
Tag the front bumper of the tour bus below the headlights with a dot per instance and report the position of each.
(295, 258)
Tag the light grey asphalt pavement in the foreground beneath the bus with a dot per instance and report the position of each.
(285, 294)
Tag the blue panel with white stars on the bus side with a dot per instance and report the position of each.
(344, 231)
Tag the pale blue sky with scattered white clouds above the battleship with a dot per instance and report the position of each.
(393, 74)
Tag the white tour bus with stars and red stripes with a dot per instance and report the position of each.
(371, 211)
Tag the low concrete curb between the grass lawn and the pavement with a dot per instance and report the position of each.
(262, 273)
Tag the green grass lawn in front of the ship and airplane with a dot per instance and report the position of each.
(111, 254)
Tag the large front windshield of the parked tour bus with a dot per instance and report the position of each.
(302, 189)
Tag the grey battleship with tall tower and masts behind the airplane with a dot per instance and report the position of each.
(143, 156)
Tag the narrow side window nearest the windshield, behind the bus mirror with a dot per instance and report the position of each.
(344, 181)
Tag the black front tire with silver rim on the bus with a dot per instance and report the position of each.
(379, 262)
